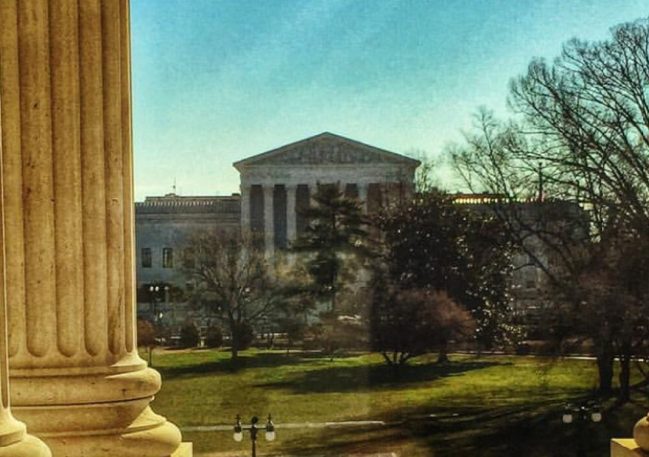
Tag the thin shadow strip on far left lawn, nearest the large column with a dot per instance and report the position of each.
(245, 361)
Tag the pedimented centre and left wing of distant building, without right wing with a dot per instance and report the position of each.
(274, 186)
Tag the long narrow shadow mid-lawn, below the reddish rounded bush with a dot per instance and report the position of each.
(352, 378)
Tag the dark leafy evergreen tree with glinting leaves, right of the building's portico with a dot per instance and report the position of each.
(433, 244)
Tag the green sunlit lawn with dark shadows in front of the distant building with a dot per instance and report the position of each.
(486, 406)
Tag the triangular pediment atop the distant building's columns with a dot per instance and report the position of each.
(325, 149)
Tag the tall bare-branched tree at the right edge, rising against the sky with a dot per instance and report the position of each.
(580, 133)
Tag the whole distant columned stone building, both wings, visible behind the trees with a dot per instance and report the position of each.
(277, 183)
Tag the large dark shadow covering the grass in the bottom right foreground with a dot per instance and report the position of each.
(534, 429)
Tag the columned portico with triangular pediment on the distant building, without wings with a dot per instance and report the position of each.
(275, 184)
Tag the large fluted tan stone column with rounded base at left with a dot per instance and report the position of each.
(77, 379)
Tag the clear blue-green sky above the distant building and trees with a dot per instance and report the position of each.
(215, 81)
